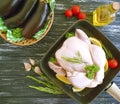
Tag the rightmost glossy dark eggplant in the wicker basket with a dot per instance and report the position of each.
(37, 20)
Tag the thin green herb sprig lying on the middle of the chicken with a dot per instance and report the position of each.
(76, 59)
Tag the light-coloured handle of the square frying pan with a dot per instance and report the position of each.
(114, 91)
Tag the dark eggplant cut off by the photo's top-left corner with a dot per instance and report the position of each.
(8, 7)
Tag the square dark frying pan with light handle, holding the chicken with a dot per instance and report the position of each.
(88, 94)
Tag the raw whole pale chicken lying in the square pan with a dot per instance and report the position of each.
(74, 55)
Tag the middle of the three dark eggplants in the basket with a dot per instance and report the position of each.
(19, 19)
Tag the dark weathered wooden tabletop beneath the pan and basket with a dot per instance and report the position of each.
(13, 83)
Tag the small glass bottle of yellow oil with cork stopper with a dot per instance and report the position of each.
(105, 14)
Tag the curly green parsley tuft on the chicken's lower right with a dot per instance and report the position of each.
(91, 70)
